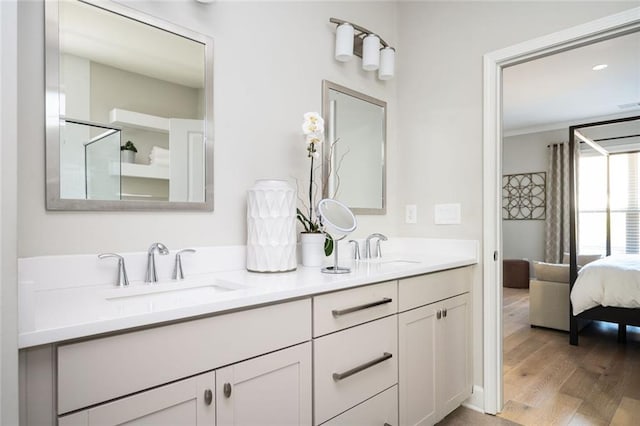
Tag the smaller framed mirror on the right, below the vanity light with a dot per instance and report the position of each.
(354, 170)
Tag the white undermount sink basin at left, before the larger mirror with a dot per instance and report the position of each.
(172, 290)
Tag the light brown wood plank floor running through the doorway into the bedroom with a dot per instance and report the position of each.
(549, 382)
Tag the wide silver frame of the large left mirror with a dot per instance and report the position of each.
(52, 107)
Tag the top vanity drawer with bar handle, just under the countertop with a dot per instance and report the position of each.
(343, 309)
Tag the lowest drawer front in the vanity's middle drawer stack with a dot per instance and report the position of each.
(380, 410)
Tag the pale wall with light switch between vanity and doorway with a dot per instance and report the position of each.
(440, 51)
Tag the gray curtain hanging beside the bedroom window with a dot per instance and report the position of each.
(558, 203)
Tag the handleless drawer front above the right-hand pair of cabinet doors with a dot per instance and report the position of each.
(429, 288)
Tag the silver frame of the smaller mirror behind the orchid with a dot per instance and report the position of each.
(326, 86)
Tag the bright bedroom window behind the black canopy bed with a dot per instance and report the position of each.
(623, 196)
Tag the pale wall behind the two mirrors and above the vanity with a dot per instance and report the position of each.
(270, 60)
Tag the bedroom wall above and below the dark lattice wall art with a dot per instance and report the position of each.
(525, 239)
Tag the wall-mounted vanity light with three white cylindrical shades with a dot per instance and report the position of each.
(376, 54)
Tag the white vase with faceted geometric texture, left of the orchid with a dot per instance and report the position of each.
(271, 226)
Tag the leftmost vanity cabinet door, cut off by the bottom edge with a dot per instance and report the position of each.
(186, 402)
